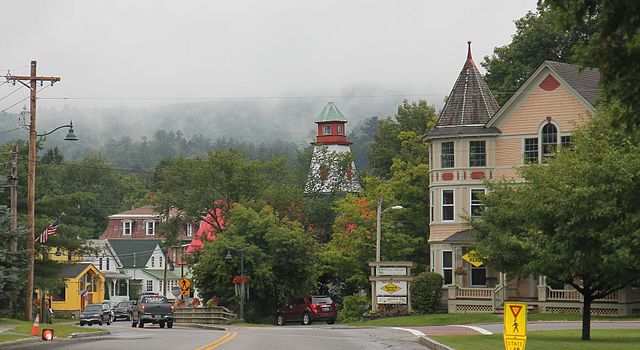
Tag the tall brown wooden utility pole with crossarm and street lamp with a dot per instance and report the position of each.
(33, 79)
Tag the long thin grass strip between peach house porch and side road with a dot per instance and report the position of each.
(447, 319)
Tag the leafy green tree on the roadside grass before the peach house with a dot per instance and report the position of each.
(575, 219)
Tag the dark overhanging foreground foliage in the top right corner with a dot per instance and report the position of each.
(613, 48)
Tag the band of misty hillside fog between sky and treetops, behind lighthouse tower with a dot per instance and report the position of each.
(256, 121)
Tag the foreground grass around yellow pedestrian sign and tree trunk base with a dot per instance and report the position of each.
(619, 339)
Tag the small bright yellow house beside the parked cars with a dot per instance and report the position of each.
(84, 285)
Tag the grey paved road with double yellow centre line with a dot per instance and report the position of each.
(314, 337)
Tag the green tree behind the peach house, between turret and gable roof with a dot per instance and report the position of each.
(537, 39)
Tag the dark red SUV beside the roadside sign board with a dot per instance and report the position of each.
(308, 309)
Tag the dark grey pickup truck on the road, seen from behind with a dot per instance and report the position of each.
(152, 309)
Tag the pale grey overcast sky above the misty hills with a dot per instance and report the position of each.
(122, 52)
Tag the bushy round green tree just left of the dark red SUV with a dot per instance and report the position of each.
(279, 258)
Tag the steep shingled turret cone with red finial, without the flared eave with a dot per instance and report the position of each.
(470, 101)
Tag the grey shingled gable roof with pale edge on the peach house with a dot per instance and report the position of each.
(584, 84)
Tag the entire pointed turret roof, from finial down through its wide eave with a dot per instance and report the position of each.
(469, 106)
